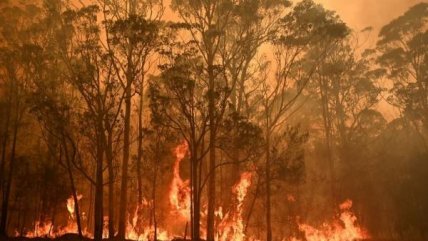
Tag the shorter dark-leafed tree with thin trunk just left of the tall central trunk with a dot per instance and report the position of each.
(178, 102)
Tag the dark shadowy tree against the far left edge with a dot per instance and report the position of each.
(17, 71)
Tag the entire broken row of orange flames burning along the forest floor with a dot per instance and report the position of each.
(230, 225)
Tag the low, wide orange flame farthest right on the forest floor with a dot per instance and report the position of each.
(344, 228)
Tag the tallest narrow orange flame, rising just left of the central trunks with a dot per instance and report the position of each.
(179, 195)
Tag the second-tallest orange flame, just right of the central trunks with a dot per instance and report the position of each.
(231, 228)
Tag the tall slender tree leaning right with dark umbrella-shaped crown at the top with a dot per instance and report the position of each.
(306, 26)
